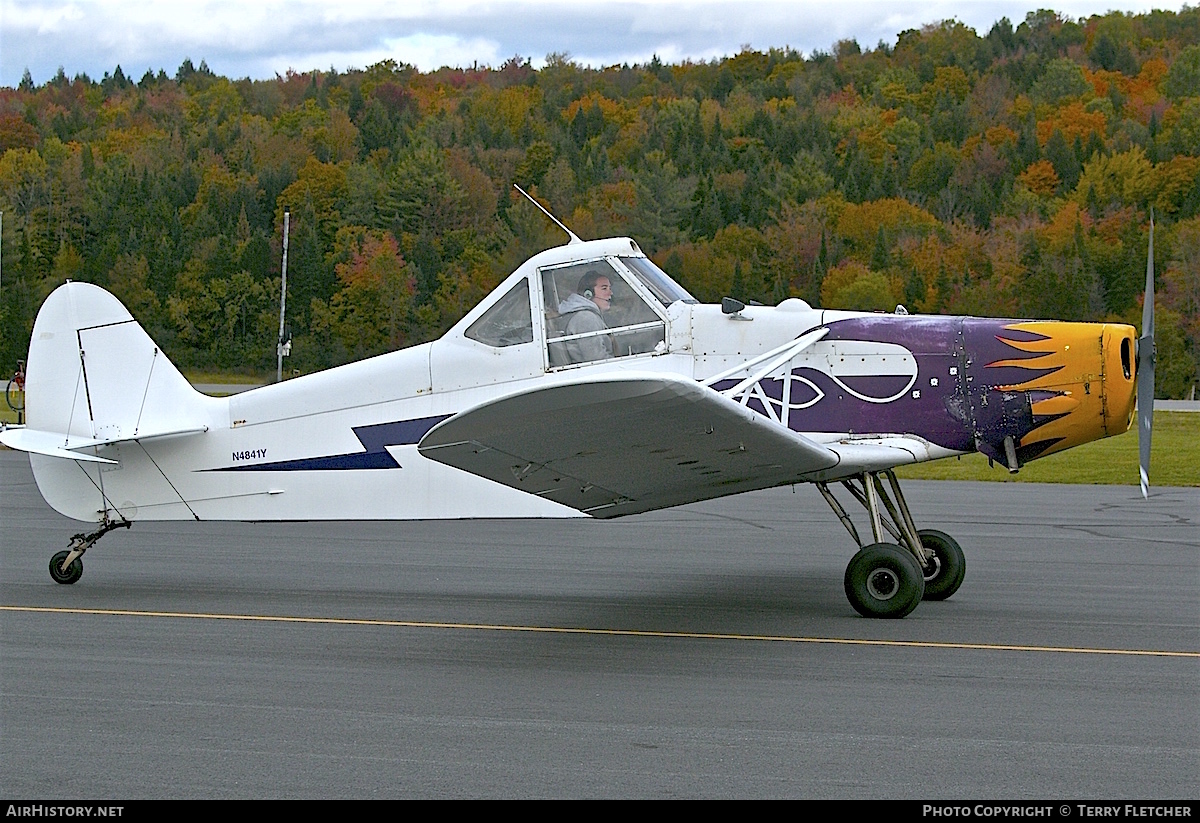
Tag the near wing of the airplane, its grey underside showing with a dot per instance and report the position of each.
(623, 444)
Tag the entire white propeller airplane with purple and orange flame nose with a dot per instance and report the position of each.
(589, 383)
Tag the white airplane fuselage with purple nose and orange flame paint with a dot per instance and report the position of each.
(343, 444)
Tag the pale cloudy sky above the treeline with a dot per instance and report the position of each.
(262, 39)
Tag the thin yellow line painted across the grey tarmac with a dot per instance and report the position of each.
(610, 633)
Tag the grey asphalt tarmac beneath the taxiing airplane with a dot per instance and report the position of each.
(704, 652)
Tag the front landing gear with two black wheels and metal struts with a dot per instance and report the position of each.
(889, 580)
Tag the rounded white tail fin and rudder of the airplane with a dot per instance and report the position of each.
(97, 381)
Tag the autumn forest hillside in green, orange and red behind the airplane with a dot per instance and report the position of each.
(1003, 173)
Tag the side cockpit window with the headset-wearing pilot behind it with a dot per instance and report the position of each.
(593, 314)
